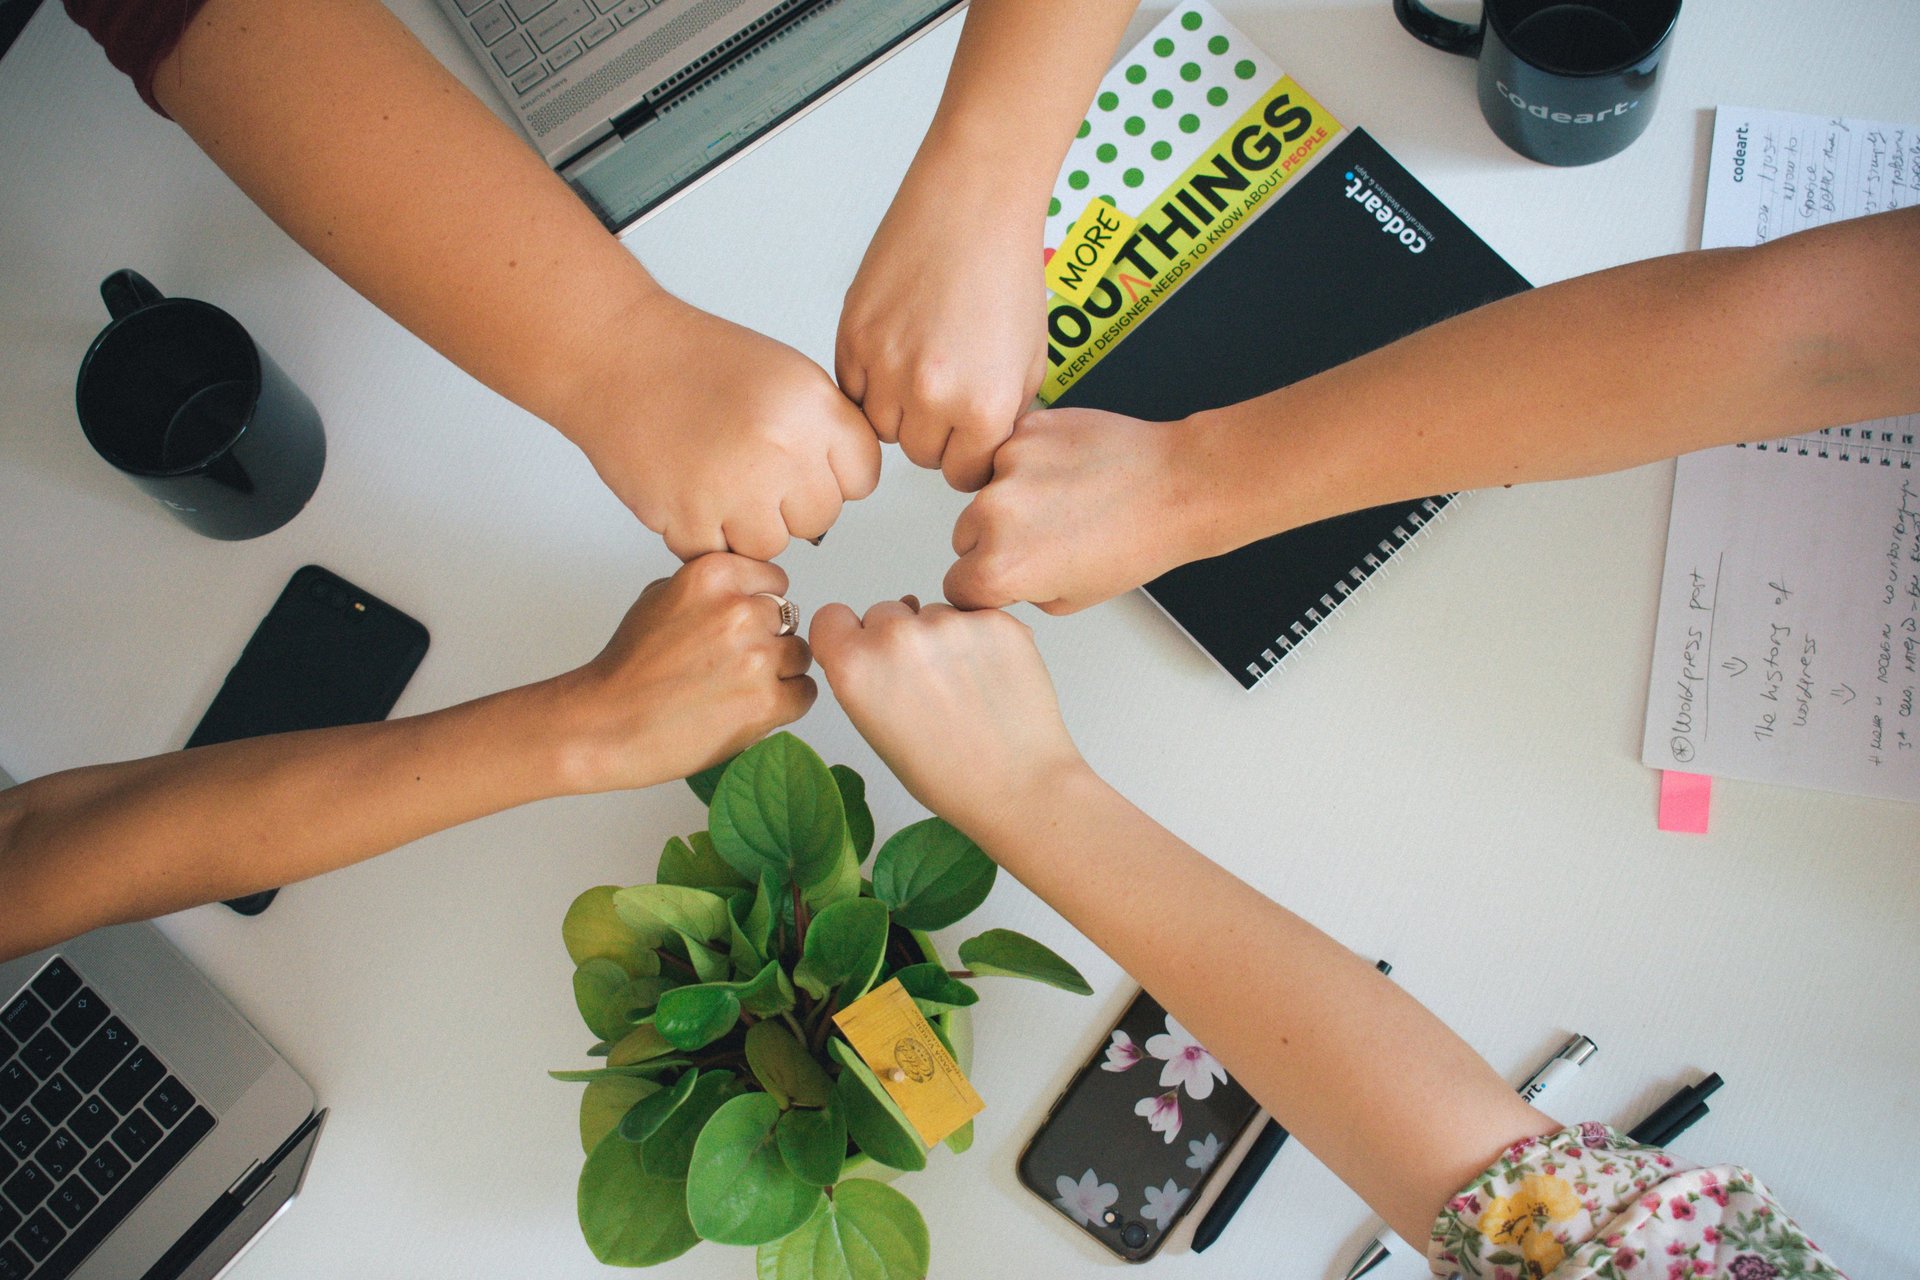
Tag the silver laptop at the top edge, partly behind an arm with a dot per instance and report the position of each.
(638, 101)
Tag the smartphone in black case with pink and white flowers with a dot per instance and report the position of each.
(1134, 1139)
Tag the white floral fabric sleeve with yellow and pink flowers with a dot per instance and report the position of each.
(1587, 1204)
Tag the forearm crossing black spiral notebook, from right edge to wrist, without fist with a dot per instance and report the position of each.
(1593, 375)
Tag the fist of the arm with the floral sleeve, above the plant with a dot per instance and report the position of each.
(957, 705)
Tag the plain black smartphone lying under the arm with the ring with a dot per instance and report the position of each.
(325, 655)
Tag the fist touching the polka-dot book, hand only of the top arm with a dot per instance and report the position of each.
(944, 335)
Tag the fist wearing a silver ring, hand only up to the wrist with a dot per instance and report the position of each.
(694, 675)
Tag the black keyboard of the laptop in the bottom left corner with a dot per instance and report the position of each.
(91, 1122)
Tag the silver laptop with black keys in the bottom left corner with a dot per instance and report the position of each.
(145, 1127)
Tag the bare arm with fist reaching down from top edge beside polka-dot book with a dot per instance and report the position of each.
(944, 333)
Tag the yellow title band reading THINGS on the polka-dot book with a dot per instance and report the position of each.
(1178, 229)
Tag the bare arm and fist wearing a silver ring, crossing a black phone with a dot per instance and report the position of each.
(692, 676)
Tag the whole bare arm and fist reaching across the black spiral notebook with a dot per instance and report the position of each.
(1591, 375)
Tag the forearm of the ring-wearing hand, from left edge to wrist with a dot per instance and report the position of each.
(130, 841)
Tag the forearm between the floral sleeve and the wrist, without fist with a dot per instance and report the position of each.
(1356, 1070)
